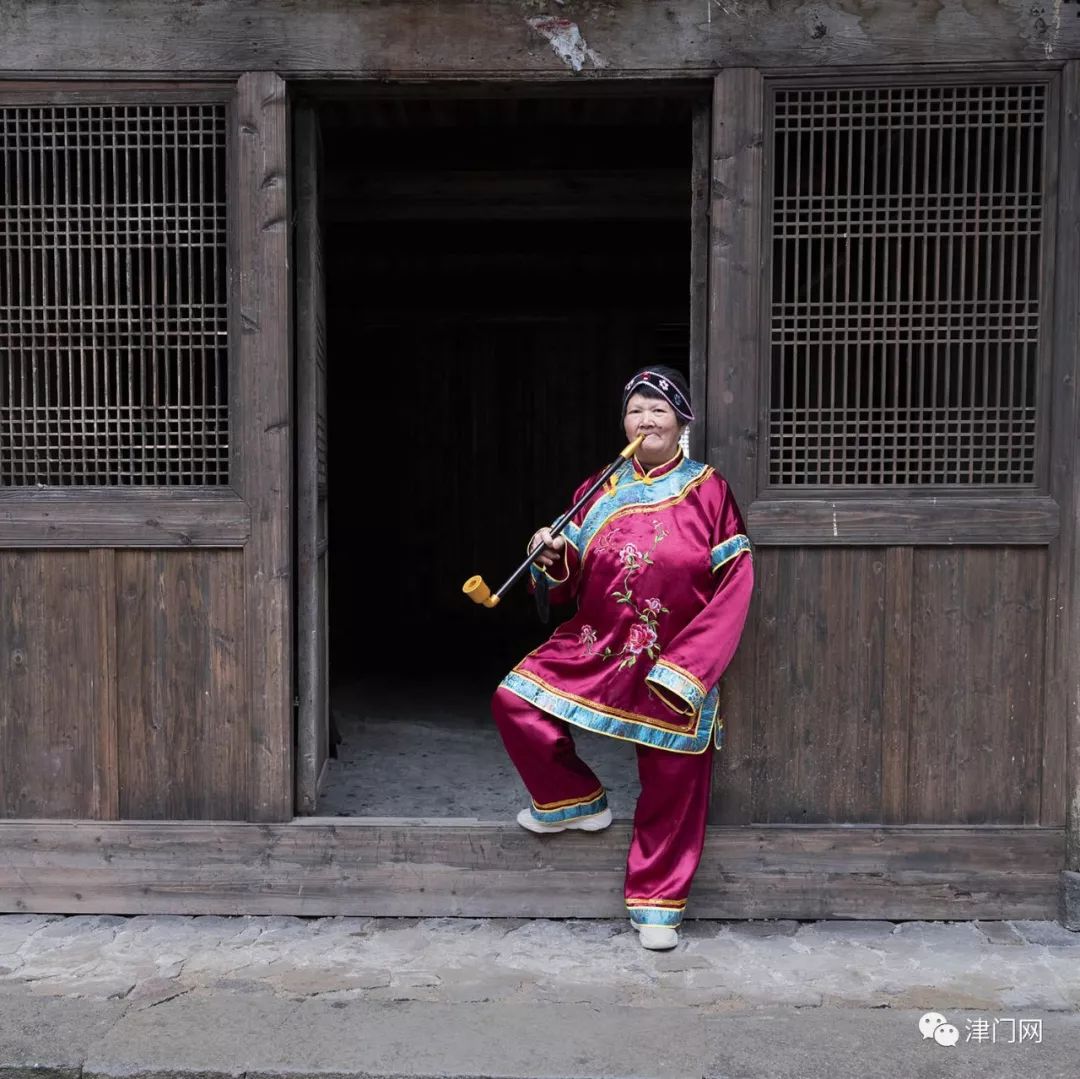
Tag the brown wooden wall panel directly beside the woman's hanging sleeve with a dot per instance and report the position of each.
(819, 690)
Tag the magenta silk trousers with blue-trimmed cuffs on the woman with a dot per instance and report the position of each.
(669, 820)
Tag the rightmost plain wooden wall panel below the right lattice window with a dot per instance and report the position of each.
(978, 657)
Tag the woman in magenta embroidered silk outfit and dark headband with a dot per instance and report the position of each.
(660, 567)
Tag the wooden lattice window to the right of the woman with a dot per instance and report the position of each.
(906, 307)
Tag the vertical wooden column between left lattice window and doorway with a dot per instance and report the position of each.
(263, 429)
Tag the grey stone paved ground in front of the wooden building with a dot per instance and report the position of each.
(209, 996)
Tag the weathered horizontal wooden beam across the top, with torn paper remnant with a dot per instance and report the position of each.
(390, 37)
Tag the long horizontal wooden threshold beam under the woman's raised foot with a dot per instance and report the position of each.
(468, 869)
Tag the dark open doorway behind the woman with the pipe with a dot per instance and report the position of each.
(495, 269)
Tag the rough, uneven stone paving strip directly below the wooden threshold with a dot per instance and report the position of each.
(867, 964)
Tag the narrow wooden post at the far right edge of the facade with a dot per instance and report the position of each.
(1063, 629)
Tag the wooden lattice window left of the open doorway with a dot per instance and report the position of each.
(114, 329)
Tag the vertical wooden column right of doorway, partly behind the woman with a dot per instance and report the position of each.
(736, 267)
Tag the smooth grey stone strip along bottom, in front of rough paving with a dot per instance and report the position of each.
(224, 1035)
